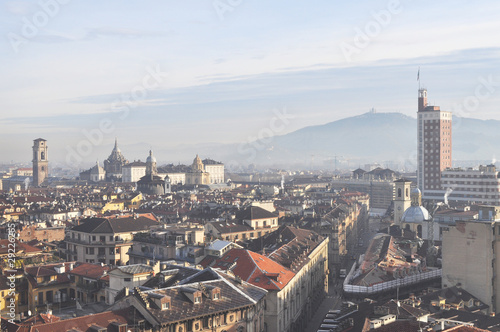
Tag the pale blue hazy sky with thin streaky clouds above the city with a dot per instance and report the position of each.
(167, 73)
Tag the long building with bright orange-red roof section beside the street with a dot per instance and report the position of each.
(295, 274)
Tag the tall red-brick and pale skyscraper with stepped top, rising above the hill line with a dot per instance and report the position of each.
(434, 146)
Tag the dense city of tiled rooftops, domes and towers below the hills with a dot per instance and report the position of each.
(137, 246)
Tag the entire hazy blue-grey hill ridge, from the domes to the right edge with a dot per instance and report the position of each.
(387, 138)
